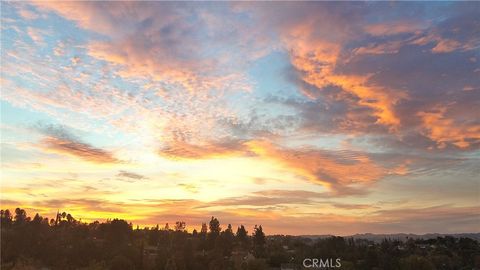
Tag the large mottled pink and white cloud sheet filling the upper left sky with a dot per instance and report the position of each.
(184, 64)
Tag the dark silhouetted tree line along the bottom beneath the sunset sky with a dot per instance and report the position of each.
(66, 243)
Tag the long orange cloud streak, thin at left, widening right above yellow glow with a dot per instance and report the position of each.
(343, 172)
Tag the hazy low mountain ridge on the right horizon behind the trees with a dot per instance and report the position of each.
(400, 236)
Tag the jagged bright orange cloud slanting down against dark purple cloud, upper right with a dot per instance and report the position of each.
(317, 58)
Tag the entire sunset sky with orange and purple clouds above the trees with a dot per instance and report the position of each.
(304, 117)
